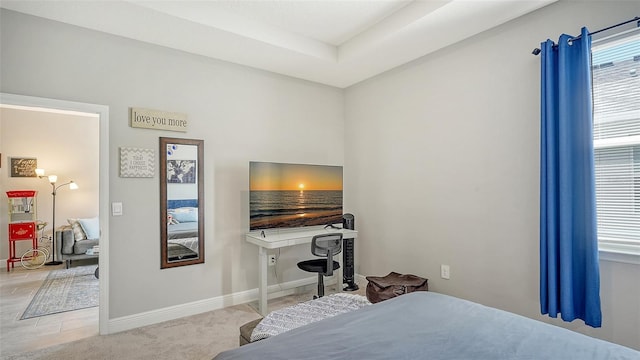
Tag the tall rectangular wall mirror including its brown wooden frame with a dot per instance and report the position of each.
(181, 202)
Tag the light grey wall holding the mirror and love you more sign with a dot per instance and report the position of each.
(242, 114)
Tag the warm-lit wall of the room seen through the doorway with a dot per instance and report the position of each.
(63, 144)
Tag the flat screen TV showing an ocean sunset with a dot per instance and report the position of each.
(294, 195)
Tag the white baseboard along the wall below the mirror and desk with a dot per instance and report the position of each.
(198, 307)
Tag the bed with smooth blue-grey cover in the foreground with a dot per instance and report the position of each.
(428, 325)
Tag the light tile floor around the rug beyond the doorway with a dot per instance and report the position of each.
(17, 288)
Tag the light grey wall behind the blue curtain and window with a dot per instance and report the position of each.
(443, 168)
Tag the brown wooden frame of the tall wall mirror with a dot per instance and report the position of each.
(164, 261)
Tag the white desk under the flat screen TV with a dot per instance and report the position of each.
(284, 238)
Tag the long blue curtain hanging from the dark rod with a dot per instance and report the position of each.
(569, 272)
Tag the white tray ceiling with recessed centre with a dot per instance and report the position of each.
(337, 43)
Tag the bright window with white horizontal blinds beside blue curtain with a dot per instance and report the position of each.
(616, 135)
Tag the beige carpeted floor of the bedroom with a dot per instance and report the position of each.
(195, 337)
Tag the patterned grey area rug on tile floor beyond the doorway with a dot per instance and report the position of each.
(65, 290)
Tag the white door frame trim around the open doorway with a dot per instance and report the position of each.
(103, 115)
